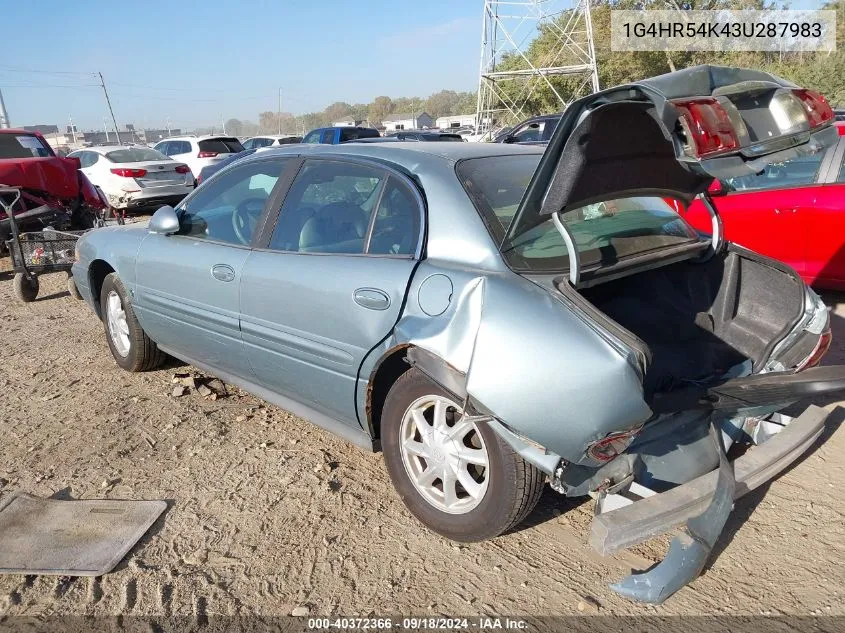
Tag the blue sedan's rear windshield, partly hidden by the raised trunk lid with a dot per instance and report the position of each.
(603, 233)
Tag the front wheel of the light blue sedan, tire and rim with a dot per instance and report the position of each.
(132, 349)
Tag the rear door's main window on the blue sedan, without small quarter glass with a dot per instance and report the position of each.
(328, 208)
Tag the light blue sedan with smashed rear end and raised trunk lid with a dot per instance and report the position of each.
(493, 317)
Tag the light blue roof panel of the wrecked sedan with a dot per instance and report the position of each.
(404, 153)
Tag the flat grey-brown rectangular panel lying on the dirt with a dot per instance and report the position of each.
(70, 538)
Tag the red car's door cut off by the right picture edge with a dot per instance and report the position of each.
(825, 226)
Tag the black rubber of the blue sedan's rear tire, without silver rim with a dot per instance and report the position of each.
(514, 485)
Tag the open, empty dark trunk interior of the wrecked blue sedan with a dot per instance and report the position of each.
(698, 320)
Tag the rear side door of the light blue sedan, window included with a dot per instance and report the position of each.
(329, 283)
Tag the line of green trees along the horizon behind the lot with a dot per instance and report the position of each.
(820, 71)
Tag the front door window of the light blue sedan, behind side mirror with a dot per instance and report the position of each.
(227, 209)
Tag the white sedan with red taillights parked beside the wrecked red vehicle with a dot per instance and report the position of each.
(134, 176)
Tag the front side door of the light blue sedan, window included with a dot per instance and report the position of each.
(186, 295)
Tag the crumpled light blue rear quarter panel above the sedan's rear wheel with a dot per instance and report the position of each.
(575, 361)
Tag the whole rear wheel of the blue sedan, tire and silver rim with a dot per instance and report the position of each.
(457, 477)
